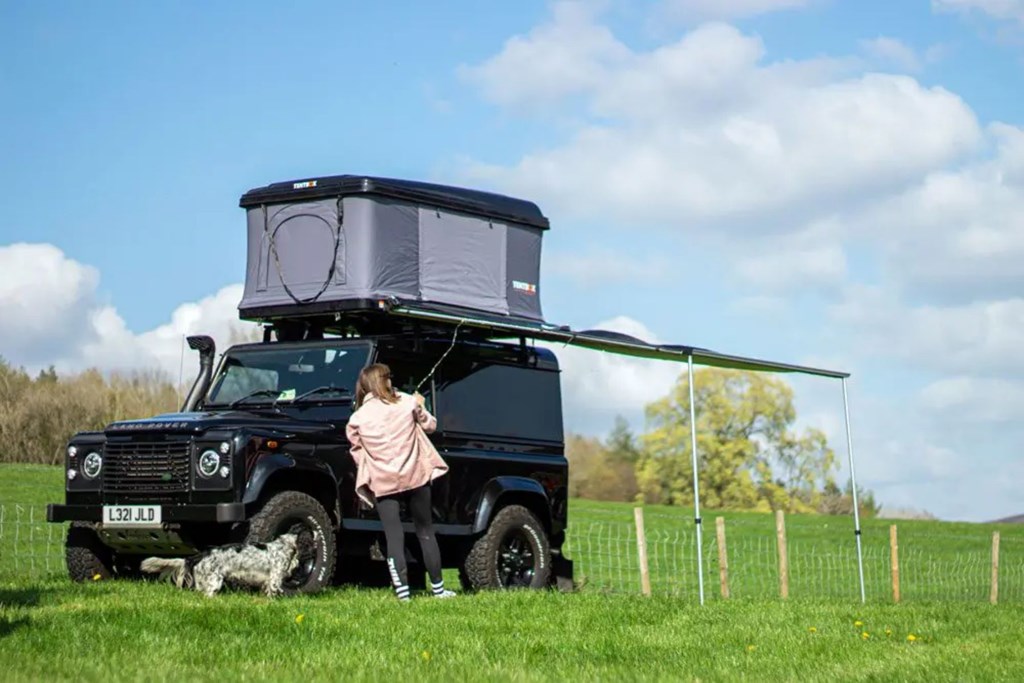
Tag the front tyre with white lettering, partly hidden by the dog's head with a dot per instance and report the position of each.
(292, 511)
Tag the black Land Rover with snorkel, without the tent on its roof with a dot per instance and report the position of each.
(260, 449)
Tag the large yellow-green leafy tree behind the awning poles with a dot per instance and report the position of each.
(749, 455)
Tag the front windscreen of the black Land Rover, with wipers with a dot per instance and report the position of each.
(284, 374)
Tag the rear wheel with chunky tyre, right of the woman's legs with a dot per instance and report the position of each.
(488, 568)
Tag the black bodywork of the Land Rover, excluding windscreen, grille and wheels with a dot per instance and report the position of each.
(526, 464)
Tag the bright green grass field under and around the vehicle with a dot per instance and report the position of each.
(53, 630)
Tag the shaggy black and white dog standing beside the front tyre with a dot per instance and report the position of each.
(264, 566)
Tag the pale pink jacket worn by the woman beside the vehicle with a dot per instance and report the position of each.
(391, 447)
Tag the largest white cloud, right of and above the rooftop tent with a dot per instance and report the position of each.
(702, 131)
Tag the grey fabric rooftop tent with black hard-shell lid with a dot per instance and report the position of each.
(339, 243)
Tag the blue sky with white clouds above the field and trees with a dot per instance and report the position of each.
(830, 183)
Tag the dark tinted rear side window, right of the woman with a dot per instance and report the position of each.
(501, 401)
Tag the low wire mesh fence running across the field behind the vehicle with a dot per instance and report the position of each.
(933, 565)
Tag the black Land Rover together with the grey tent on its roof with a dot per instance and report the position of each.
(260, 448)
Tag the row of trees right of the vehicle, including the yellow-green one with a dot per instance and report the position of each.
(750, 455)
